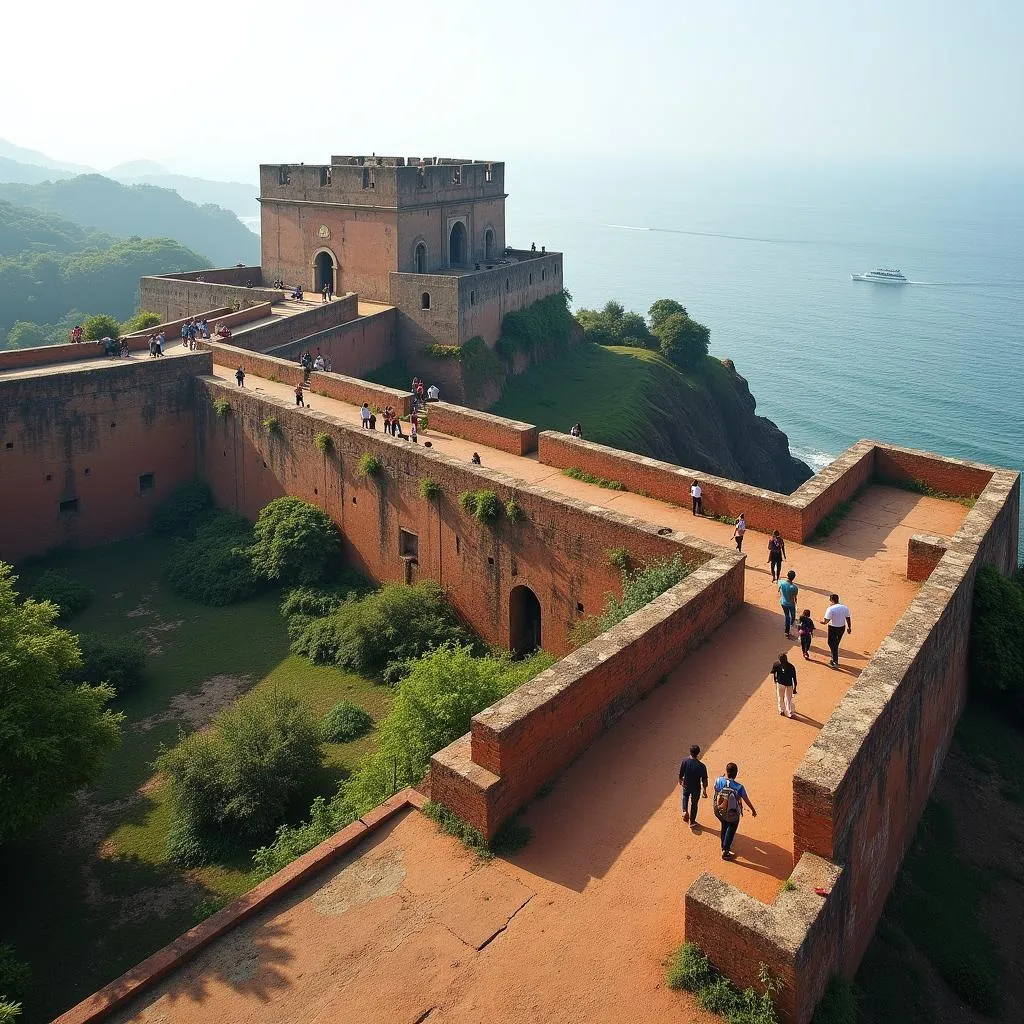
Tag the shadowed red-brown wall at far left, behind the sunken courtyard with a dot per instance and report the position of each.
(92, 452)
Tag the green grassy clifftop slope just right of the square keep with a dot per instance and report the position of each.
(615, 393)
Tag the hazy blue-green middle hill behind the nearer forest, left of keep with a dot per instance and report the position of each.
(105, 205)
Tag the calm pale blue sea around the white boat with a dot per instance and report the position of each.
(763, 254)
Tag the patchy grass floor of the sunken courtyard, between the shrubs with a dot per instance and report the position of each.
(94, 894)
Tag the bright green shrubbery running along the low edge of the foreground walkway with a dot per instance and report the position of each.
(433, 708)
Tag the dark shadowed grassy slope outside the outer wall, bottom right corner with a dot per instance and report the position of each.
(948, 946)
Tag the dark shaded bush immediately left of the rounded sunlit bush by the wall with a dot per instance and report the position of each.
(216, 568)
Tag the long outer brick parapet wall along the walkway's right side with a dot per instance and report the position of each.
(863, 787)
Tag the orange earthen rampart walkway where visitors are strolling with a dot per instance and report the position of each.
(574, 928)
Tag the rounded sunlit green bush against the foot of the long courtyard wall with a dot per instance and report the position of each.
(294, 542)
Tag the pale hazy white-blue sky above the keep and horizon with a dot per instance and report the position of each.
(218, 87)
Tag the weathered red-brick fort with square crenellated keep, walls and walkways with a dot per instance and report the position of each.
(391, 920)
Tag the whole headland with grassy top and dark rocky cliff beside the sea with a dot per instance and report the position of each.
(634, 399)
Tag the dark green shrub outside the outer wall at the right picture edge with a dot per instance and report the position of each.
(997, 659)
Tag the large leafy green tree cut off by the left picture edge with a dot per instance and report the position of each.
(54, 736)
